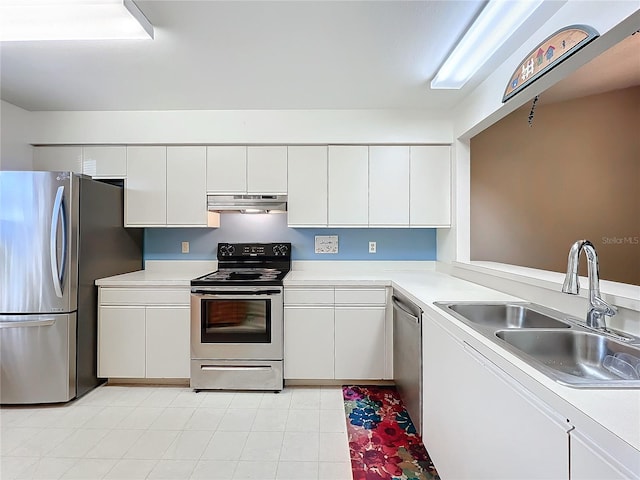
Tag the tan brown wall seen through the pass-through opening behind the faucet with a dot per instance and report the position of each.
(574, 174)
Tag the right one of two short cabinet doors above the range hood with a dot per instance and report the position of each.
(267, 170)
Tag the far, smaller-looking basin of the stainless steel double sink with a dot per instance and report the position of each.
(506, 315)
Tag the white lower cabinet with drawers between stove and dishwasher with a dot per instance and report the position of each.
(336, 333)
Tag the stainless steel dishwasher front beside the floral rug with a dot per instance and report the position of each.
(407, 355)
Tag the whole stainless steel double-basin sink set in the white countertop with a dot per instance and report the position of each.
(555, 344)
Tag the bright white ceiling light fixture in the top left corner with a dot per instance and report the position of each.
(25, 20)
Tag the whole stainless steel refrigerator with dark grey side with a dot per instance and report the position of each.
(59, 232)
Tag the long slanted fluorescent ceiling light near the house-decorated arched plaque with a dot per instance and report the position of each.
(493, 27)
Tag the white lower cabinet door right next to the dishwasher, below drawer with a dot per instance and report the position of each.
(360, 343)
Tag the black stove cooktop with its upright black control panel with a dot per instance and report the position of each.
(249, 263)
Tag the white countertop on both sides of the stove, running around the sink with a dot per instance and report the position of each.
(618, 410)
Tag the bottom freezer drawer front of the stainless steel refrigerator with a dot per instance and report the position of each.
(37, 358)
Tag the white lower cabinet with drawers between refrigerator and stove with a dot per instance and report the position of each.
(143, 333)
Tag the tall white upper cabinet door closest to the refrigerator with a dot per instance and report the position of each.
(145, 194)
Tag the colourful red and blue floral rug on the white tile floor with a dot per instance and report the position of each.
(383, 442)
